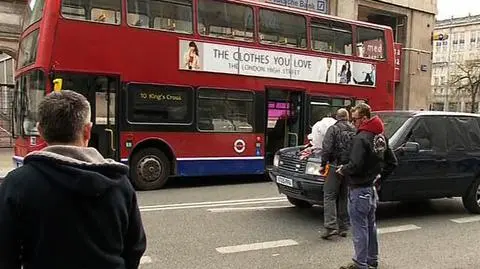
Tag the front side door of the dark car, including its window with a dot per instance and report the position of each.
(418, 172)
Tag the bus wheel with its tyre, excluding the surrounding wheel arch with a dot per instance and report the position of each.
(150, 169)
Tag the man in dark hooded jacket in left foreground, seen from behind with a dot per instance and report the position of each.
(67, 206)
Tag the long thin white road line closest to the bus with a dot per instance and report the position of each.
(212, 204)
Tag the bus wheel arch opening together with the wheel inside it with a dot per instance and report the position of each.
(151, 163)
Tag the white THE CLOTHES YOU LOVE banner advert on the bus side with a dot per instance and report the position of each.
(209, 57)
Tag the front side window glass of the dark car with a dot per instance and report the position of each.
(430, 133)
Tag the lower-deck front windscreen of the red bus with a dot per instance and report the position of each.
(30, 89)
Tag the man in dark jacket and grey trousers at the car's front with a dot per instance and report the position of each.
(336, 150)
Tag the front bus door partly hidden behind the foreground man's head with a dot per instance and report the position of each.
(101, 91)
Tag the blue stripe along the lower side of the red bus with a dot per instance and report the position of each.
(220, 167)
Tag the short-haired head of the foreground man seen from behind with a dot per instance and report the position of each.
(62, 116)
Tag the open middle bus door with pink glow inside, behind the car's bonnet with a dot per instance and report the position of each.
(285, 121)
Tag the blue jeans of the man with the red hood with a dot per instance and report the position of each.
(362, 204)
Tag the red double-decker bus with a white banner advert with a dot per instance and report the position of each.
(196, 87)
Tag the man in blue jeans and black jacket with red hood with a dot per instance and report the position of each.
(371, 158)
